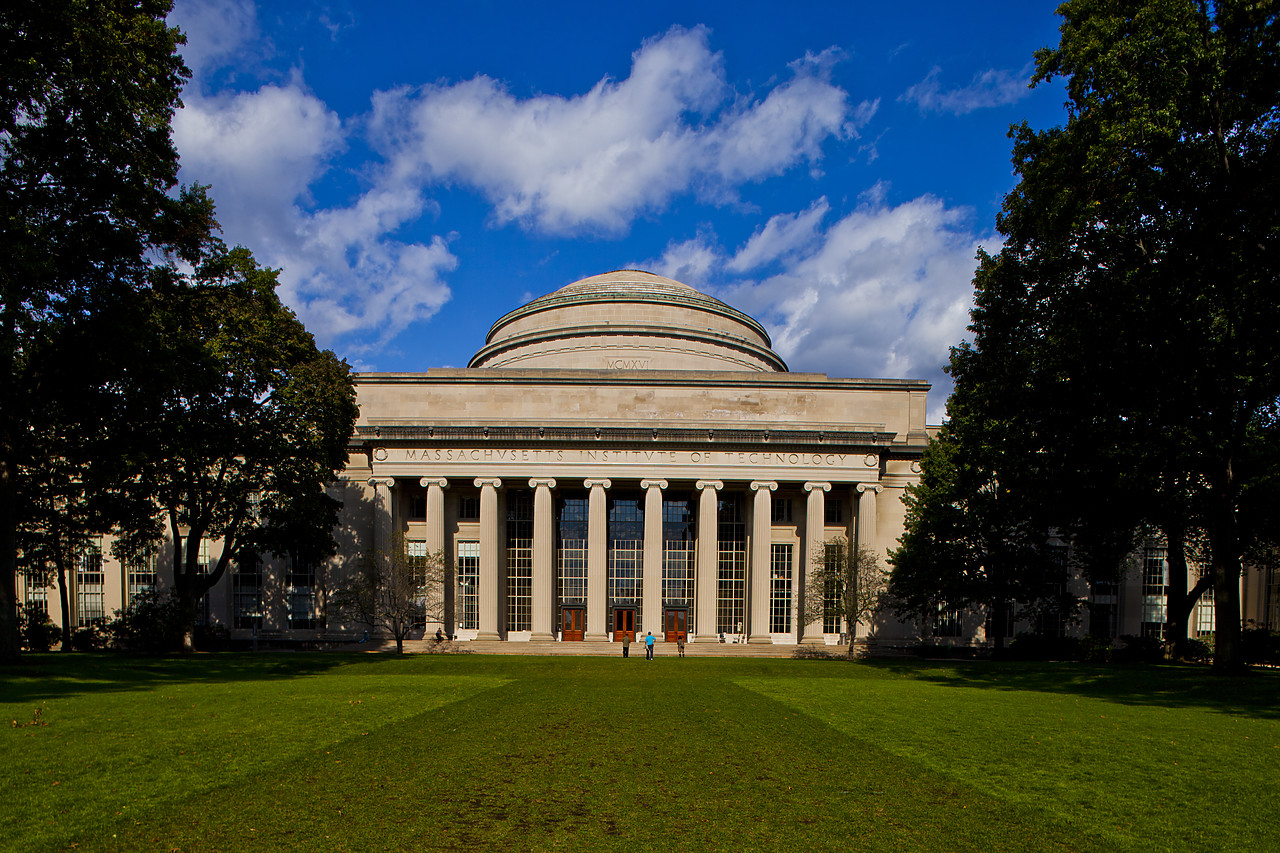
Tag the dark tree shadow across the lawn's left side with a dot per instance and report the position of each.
(54, 676)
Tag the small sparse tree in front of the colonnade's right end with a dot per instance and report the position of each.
(848, 582)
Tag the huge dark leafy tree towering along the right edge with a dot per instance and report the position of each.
(1139, 273)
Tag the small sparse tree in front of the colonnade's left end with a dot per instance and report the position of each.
(396, 592)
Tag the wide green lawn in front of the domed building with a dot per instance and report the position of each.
(332, 752)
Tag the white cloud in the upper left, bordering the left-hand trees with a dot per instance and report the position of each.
(263, 150)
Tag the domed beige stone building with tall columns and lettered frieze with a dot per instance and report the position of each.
(628, 454)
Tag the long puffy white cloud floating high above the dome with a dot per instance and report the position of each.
(596, 162)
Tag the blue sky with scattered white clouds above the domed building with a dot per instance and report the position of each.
(418, 170)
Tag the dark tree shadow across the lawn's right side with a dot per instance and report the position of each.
(1254, 695)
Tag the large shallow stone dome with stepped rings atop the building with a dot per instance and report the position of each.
(632, 321)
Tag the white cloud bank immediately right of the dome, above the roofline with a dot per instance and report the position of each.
(885, 291)
